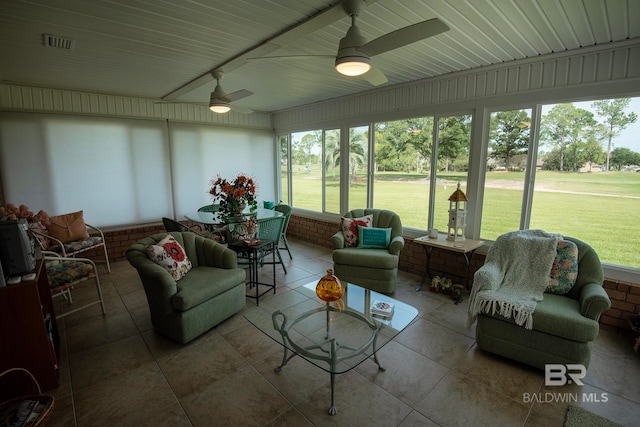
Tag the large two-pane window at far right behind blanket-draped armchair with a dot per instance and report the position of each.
(583, 183)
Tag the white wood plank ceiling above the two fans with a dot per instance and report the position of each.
(166, 48)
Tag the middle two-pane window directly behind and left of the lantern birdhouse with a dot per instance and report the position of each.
(405, 175)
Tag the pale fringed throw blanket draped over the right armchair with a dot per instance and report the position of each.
(515, 276)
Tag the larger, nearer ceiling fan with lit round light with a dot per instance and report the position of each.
(354, 52)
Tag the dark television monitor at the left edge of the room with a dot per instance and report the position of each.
(17, 248)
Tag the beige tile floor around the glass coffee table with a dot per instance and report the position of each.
(115, 370)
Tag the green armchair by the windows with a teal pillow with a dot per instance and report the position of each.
(372, 268)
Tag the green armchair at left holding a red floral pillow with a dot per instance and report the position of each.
(212, 291)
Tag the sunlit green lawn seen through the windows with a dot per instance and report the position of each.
(602, 209)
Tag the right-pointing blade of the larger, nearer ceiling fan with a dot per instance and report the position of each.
(404, 36)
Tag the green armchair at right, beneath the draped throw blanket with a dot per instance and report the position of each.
(564, 326)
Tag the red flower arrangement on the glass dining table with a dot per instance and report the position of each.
(234, 194)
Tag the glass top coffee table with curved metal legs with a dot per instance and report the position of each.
(334, 340)
